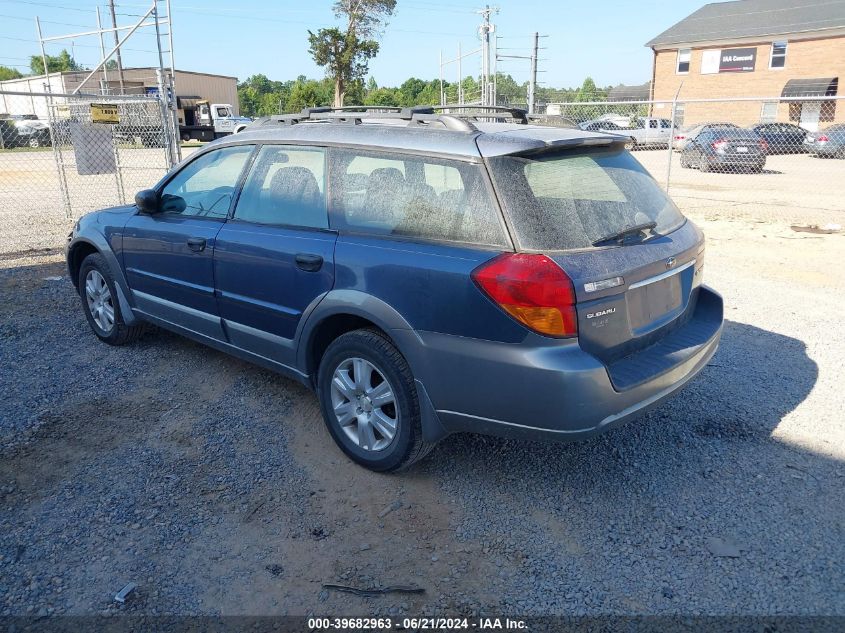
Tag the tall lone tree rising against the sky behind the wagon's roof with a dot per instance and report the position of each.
(346, 53)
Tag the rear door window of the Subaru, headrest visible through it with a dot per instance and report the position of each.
(286, 186)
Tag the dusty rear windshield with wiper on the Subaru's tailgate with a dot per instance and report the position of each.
(570, 199)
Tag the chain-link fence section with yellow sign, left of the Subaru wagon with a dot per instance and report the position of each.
(62, 156)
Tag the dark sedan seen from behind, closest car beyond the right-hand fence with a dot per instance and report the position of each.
(726, 148)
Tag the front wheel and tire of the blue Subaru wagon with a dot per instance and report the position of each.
(100, 304)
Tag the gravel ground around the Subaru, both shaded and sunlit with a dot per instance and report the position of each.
(213, 485)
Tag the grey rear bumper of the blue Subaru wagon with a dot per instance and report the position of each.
(538, 390)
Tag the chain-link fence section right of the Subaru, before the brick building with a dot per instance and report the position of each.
(769, 159)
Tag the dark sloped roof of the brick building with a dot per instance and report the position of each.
(730, 21)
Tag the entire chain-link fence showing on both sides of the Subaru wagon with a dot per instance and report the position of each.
(768, 159)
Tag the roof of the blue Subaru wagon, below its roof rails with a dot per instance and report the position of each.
(484, 139)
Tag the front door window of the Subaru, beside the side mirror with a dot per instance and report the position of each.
(205, 186)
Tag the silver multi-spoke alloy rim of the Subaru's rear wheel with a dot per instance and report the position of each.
(364, 404)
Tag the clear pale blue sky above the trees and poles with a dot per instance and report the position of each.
(246, 37)
